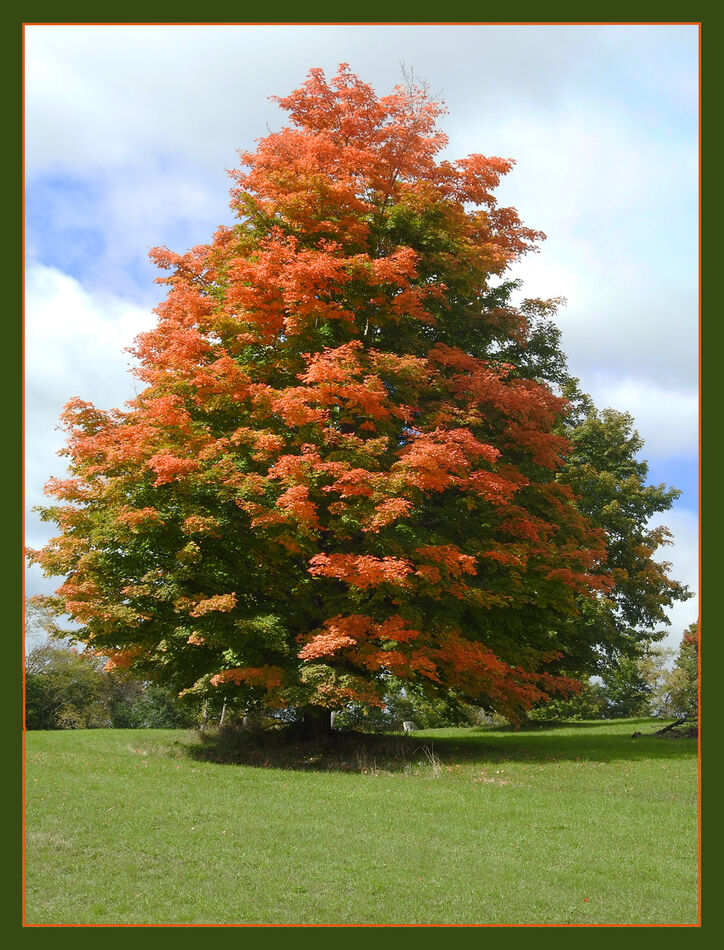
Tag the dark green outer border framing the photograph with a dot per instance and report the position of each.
(320, 11)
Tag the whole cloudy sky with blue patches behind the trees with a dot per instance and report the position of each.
(129, 131)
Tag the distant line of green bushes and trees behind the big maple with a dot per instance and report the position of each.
(70, 689)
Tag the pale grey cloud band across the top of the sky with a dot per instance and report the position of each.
(101, 95)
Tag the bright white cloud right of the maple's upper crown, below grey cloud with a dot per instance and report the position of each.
(622, 243)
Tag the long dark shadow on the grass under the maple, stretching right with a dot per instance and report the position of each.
(345, 751)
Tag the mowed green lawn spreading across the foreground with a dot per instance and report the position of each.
(579, 824)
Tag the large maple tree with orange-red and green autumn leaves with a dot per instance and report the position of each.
(333, 472)
